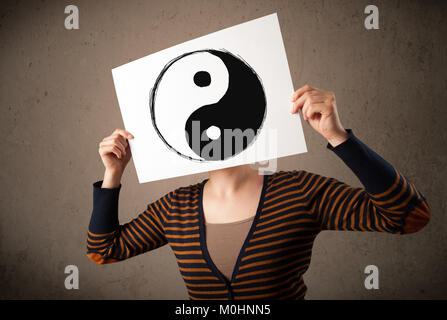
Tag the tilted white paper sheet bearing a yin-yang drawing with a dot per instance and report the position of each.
(158, 93)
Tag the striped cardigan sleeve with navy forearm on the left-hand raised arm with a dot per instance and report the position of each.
(108, 241)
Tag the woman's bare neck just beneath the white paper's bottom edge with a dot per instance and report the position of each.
(228, 181)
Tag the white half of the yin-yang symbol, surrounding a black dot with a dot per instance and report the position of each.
(177, 96)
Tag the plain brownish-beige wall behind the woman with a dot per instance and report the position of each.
(58, 101)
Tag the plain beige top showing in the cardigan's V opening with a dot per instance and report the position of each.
(224, 242)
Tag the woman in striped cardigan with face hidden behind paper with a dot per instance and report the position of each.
(241, 235)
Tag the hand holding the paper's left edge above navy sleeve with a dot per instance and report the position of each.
(115, 154)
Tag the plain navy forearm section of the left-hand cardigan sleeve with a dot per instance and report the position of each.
(104, 217)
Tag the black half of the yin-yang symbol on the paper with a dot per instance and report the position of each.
(238, 114)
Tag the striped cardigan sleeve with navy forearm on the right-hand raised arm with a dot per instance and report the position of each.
(389, 202)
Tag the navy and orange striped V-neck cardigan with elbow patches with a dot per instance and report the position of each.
(294, 207)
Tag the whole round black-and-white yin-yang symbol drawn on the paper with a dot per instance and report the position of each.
(207, 105)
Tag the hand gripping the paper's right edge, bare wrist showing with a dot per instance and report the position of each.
(319, 109)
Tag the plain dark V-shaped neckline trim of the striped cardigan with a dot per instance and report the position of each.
(202, 238)
